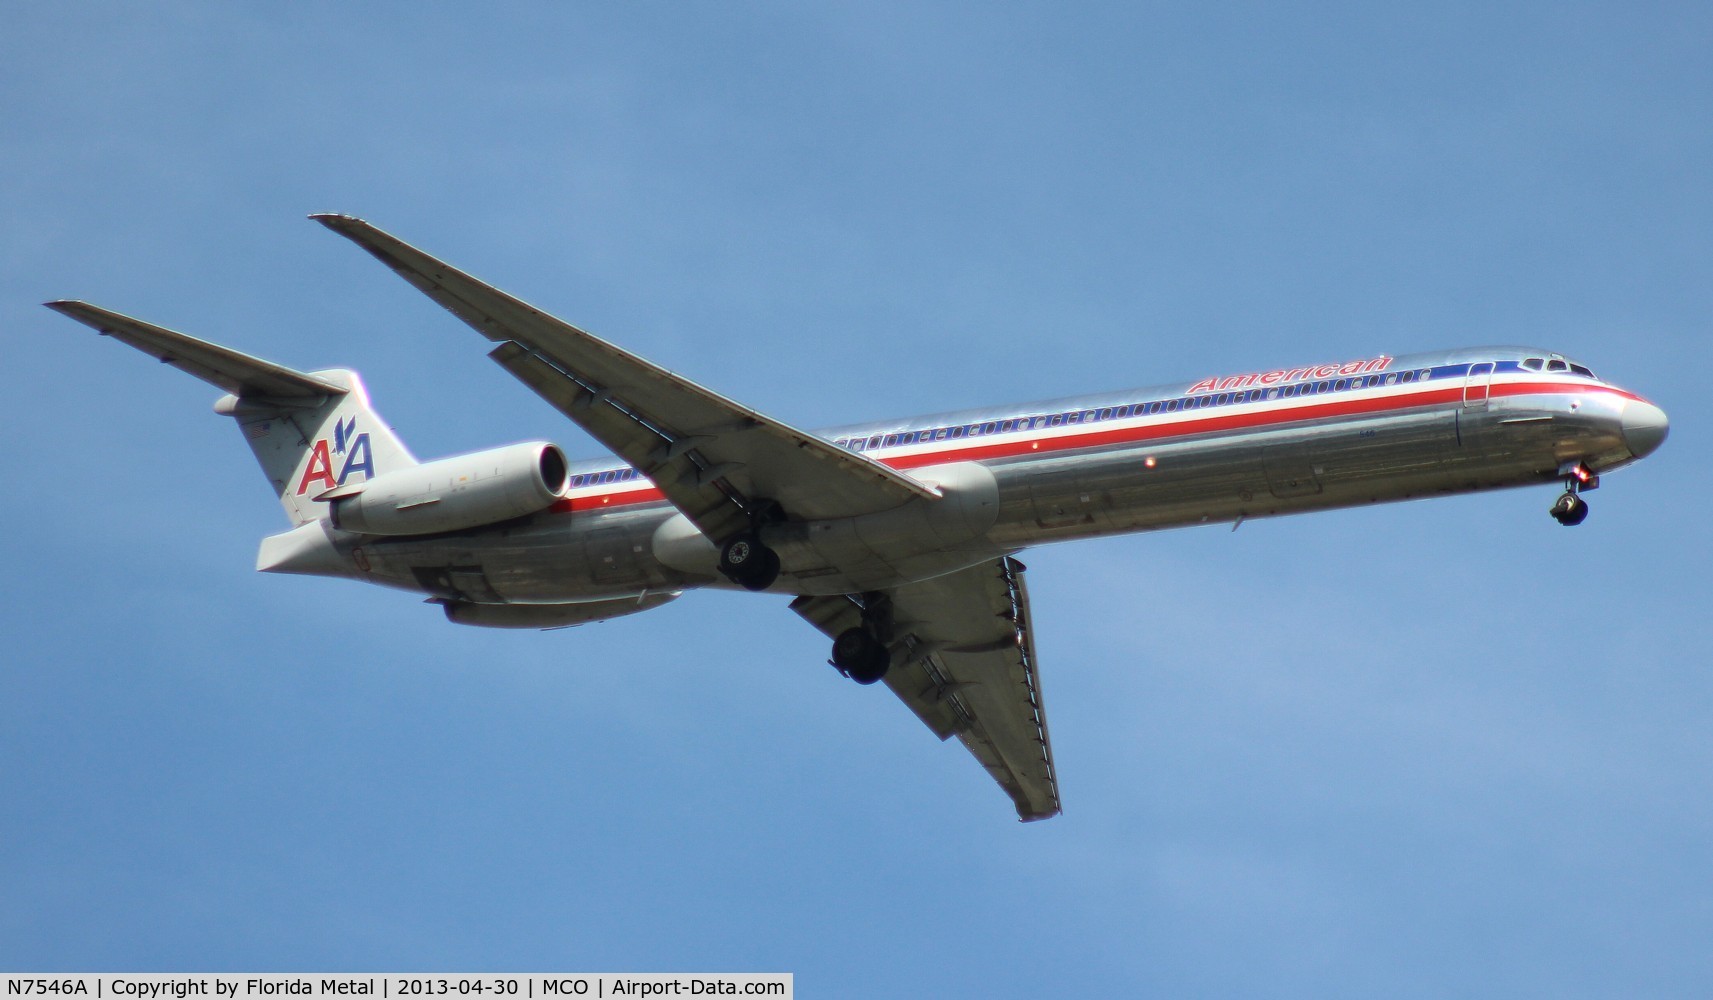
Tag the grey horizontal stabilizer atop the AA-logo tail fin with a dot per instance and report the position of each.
(239, 374)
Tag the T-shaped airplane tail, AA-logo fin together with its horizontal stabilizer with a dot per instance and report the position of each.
(313, 432)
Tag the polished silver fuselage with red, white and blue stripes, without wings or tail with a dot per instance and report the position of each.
(1217, 451)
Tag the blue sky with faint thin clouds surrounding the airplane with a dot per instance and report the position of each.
(1421, 751)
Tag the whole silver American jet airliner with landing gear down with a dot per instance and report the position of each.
(897, 539)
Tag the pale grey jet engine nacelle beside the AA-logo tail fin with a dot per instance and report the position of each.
(453, 494)
